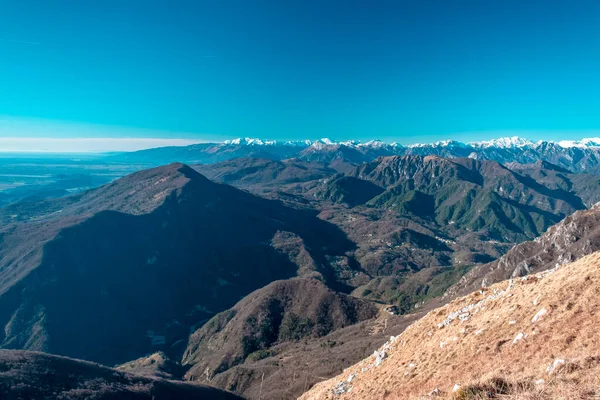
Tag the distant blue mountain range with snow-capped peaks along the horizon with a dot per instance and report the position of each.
(575, 155)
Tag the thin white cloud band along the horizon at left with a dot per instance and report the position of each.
(85, 145)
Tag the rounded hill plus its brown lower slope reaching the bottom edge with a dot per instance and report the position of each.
(285, 336)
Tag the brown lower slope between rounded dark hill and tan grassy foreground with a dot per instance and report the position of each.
(293, 367)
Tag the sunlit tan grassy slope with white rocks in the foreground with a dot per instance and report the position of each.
(533, 336)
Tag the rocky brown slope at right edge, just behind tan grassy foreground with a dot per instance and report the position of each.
(574, 237)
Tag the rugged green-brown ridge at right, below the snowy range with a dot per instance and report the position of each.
(476, 195)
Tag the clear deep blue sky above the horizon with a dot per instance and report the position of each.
(404, 70)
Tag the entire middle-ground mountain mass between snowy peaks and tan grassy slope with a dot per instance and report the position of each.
(266, 276)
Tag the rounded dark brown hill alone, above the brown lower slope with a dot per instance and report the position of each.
(284, 311)
